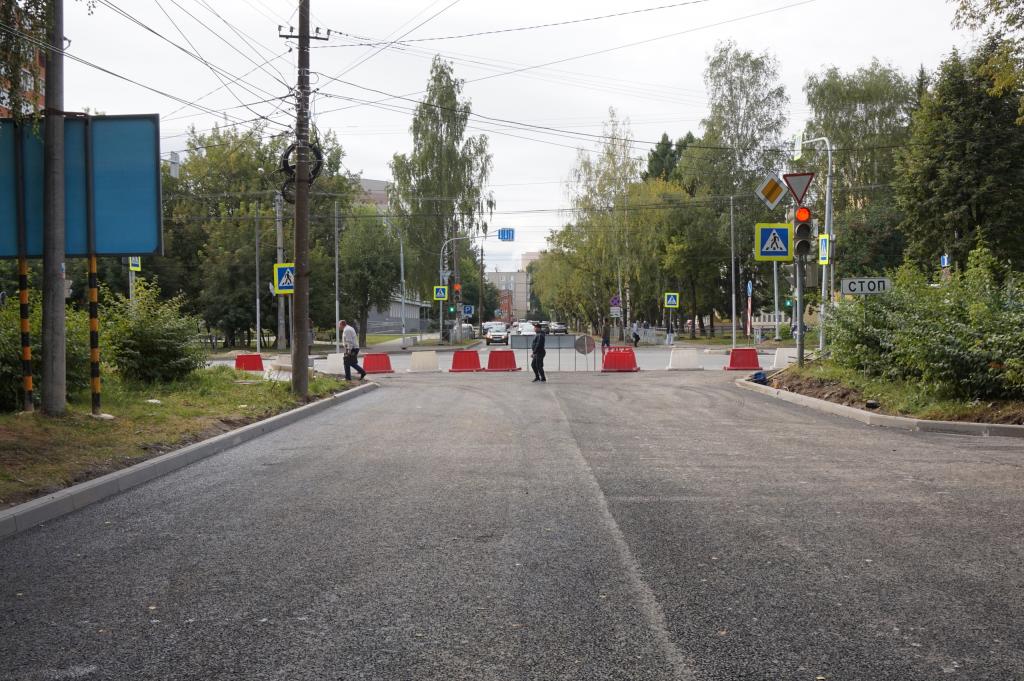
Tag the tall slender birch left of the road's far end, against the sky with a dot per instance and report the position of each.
(440, 188)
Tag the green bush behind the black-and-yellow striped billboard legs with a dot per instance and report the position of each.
(77, 350)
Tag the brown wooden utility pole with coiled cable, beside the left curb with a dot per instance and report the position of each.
(301, 321)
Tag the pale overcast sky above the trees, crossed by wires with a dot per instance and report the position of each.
(650, 70)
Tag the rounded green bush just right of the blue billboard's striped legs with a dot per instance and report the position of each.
(150, 339)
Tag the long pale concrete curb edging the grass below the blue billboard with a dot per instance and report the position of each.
(30, 515)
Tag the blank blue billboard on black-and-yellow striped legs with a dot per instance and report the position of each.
(126, 202)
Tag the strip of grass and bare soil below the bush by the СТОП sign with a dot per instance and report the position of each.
(827, 380)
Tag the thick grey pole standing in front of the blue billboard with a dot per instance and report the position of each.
(55, 331)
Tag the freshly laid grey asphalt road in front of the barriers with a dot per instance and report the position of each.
(653, 526)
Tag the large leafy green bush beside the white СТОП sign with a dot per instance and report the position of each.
(962, 338)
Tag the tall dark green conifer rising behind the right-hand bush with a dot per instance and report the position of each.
(961, 181)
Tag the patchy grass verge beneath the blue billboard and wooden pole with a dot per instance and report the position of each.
(40, 455)
